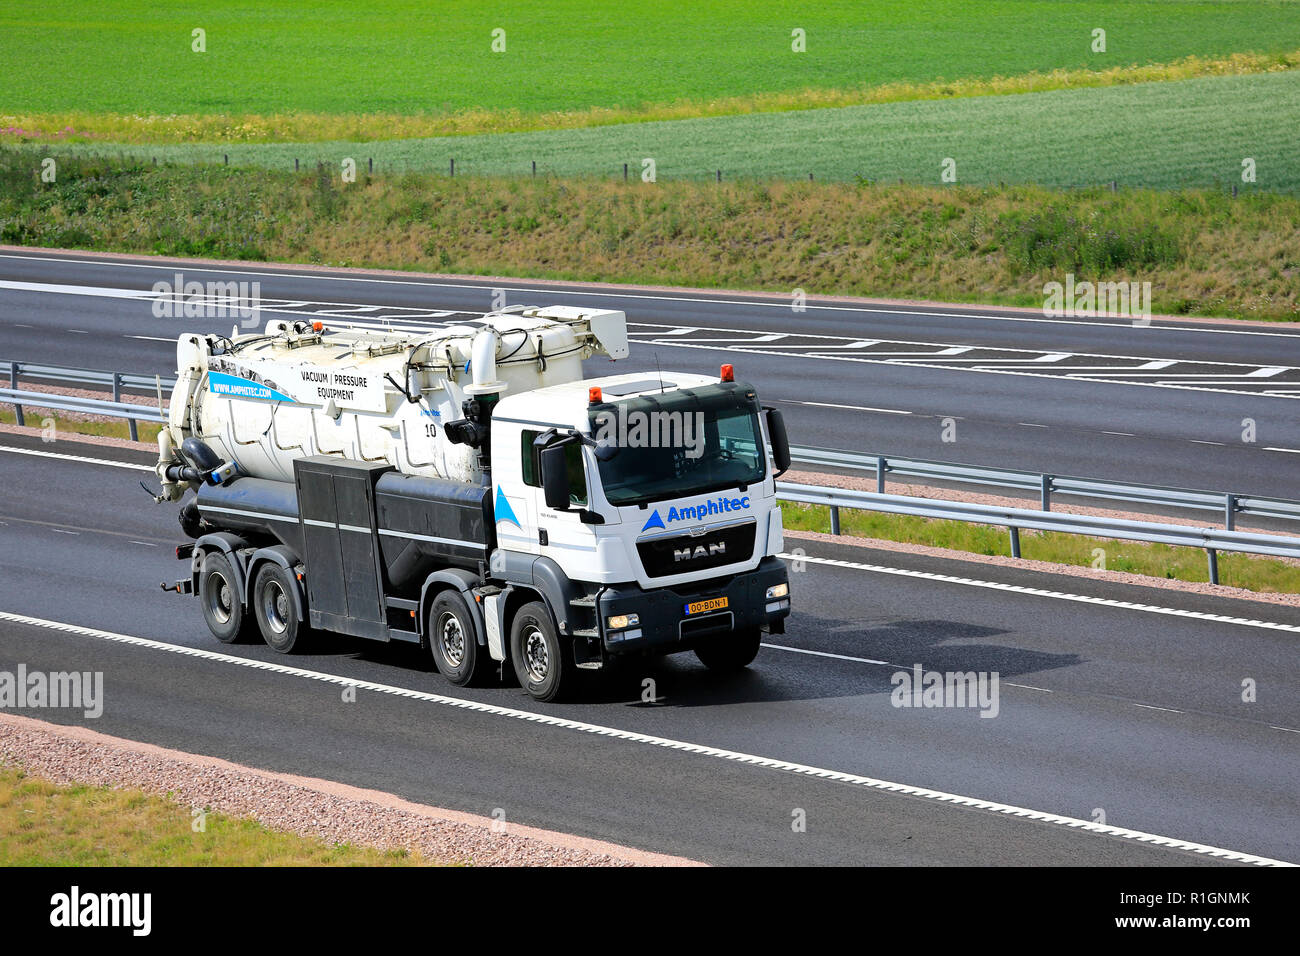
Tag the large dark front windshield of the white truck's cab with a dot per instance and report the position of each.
(687, 442)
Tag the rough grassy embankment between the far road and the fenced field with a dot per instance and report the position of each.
(1203, 252)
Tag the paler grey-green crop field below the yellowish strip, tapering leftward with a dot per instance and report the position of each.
(1163, 136)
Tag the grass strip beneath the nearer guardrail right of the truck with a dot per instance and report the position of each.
(1152, 560)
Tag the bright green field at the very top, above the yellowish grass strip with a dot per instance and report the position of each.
(336, 58)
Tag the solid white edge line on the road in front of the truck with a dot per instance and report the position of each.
(686, 747)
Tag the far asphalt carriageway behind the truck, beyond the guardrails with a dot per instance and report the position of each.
(834, 397)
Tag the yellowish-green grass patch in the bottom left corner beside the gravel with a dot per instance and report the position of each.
(44, 824)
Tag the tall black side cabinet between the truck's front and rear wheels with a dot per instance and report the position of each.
(345, 591)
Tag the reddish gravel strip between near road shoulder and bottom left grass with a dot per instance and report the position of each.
(322, 810)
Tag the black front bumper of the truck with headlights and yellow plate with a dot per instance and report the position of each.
(664, 624)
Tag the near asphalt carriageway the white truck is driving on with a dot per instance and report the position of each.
(1102, 707)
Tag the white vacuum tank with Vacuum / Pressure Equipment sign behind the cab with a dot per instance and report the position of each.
(263, 400)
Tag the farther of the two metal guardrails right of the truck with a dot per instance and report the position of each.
(1227, 504)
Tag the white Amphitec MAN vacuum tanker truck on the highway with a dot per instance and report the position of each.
(465, 488)
